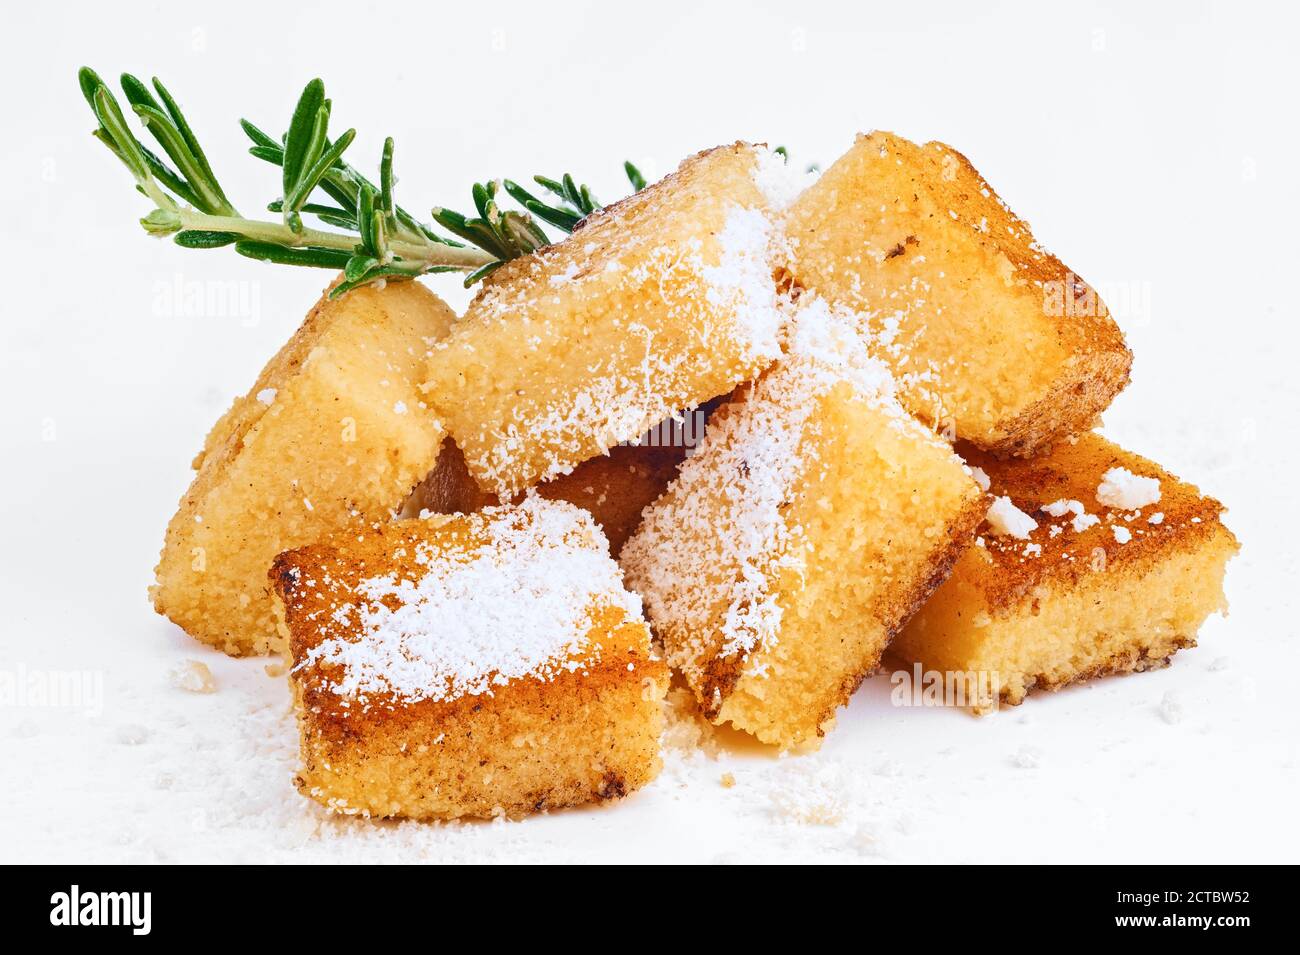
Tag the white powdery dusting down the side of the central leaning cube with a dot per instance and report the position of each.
(735, 490)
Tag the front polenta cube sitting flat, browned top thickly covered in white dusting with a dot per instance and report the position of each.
(478, 665)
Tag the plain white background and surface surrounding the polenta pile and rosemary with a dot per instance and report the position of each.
(1155, 153)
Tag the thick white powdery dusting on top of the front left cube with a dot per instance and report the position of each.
(515, 602)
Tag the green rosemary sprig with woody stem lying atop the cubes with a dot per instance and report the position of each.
(380, 240)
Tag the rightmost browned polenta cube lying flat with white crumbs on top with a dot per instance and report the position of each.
(1115, 570)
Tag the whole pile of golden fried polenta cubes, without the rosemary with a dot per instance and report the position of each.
(484, 570)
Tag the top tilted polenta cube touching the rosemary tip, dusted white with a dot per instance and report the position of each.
(657, 303)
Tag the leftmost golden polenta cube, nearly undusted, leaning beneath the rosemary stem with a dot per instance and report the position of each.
(333, 435)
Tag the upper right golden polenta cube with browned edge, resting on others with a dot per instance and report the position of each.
(990, 335)
